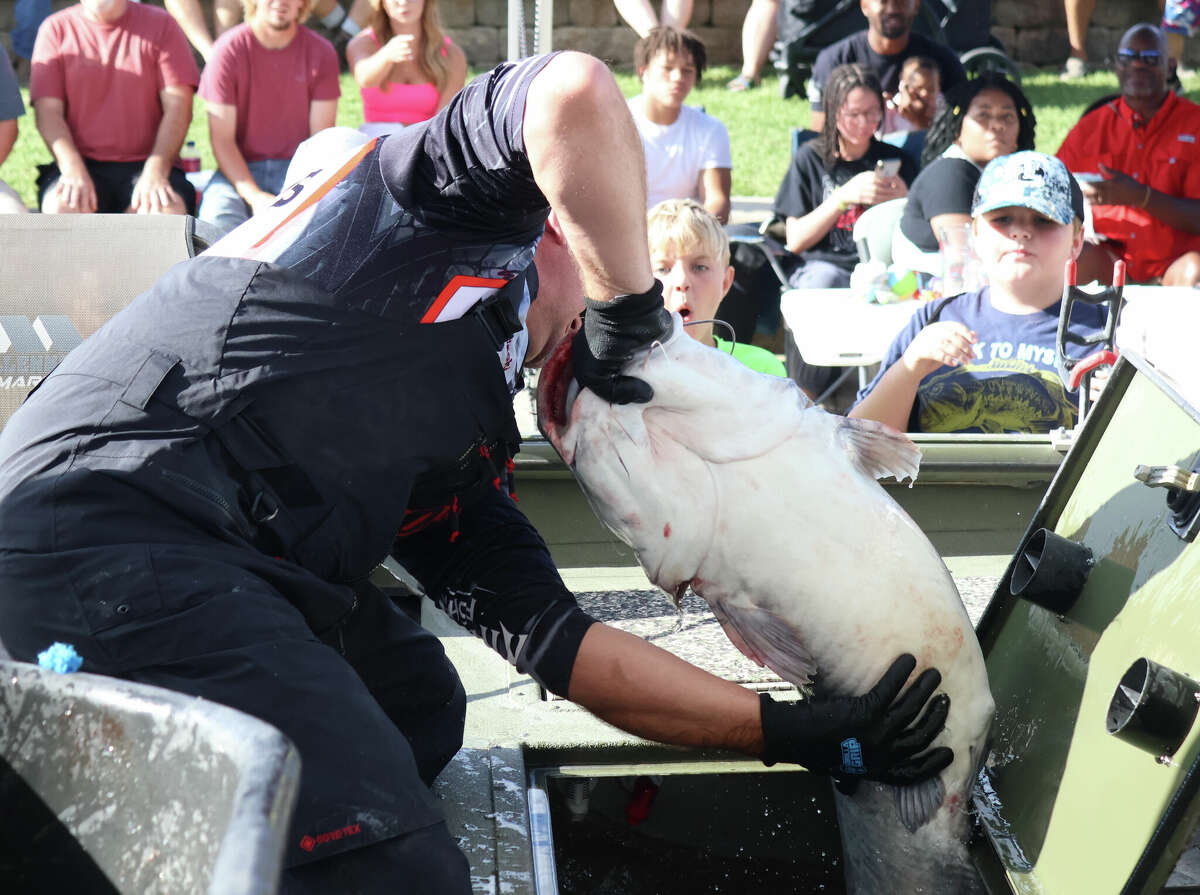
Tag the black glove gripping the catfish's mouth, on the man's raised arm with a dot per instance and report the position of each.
(613, 332)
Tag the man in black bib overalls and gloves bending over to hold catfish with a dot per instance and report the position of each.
(197, 496)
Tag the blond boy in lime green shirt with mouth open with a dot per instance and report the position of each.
(691, 257)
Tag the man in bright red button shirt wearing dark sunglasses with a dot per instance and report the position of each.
(1143, 151)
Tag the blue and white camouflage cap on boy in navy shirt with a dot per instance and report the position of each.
(1029, 181)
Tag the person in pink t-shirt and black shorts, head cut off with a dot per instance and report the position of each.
(112, 88)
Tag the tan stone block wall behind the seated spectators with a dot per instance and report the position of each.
(1034, 32)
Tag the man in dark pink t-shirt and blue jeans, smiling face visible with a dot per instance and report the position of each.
(271, 85)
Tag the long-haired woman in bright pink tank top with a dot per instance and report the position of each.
(406, 67)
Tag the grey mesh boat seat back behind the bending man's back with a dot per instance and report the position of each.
(62, 277)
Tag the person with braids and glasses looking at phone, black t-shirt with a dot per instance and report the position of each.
(830, 184)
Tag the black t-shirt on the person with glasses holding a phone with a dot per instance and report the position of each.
(809, 183)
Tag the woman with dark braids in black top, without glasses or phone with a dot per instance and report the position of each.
(982, 119)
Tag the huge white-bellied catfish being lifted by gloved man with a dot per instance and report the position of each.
(733, 484)
